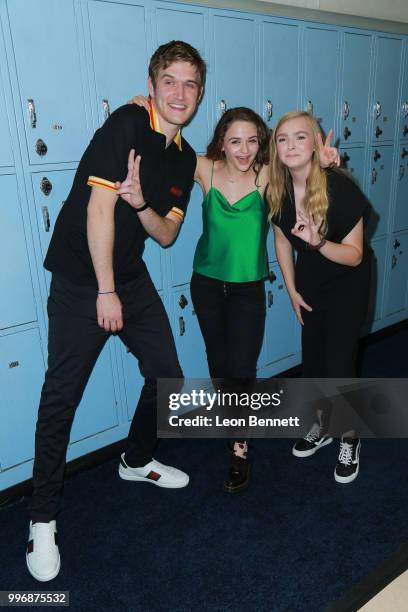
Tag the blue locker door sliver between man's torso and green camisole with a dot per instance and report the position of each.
(182, 253)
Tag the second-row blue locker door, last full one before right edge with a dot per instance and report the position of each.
(380, 173)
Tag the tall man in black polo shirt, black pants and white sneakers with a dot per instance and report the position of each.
(100, 284)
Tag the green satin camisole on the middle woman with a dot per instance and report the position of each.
(232, 246)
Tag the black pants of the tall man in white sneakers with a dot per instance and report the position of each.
(74, 343)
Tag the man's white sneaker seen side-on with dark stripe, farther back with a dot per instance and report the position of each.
(154, 472)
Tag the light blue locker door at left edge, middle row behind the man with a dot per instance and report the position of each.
(17, 304)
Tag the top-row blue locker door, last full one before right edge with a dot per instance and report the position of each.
(384, 104)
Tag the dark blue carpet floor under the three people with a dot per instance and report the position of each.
(293, 541)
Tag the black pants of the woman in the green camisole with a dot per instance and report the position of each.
(232, 321)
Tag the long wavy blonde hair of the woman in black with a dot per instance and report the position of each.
(316, 201)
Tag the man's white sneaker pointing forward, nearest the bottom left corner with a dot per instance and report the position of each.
(42, 557)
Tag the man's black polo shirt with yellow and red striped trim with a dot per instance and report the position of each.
(166, 176)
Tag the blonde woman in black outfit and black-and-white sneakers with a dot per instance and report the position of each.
(319, 213)
